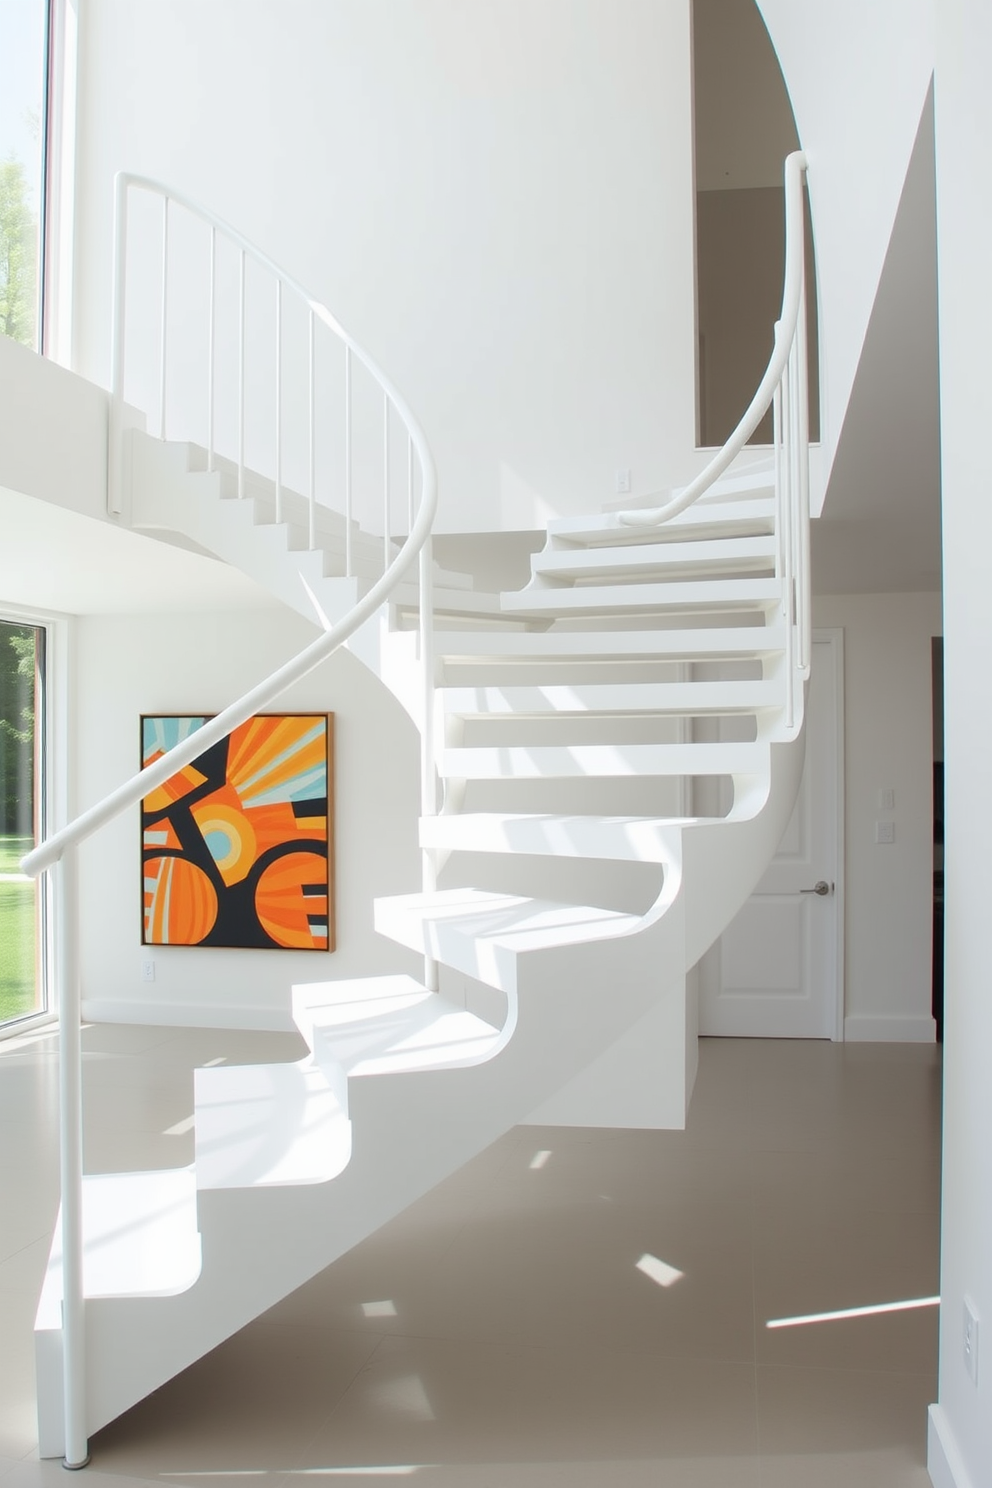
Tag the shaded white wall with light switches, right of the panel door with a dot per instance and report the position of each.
(889, 745)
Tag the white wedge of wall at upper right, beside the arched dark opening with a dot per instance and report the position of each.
(857, 78)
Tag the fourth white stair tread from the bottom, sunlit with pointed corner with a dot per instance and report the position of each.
(481, 934)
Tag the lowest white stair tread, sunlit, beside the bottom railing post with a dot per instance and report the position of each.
(141, 1240)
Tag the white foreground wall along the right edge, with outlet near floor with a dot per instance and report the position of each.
(962, 1443)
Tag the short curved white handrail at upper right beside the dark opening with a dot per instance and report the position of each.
(785, 339)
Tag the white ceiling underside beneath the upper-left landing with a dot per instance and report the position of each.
(59, 560)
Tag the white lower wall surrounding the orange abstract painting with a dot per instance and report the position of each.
(190, 664)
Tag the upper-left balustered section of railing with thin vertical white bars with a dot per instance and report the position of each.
(258, 379)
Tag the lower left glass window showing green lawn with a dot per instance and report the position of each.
(23, 983)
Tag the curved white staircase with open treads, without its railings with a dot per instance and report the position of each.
(618, 749)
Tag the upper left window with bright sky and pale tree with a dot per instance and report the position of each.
(23, 148)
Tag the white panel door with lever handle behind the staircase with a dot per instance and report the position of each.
(777, 969)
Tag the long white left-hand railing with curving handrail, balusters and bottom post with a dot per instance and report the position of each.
(57, 855)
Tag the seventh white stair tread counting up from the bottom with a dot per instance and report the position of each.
(618, 697)
